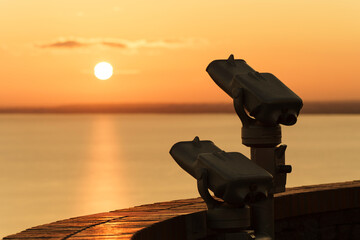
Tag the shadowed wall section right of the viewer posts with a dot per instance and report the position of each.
(324, 212)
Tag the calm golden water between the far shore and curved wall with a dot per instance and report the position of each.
(60, 166)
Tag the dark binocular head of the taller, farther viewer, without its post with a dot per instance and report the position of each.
(263, 95)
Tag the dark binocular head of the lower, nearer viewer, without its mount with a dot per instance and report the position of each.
(231, 175)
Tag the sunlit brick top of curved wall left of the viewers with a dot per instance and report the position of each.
(118, 224)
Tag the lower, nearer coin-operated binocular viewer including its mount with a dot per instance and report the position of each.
(232, 177)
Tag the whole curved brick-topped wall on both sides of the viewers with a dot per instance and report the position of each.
(324, 211)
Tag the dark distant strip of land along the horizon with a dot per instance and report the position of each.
(348, 107)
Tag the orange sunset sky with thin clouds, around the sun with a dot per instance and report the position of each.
(160, 49)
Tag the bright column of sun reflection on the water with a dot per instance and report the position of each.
(104, 176)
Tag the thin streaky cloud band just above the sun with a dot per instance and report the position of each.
(122, 43)
